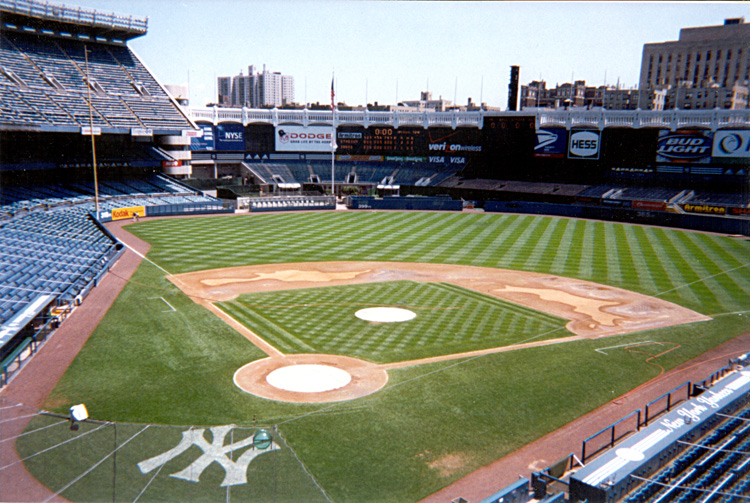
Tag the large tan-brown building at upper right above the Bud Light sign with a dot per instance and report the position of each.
(704, 58)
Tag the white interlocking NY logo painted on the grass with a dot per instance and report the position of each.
(235, 472)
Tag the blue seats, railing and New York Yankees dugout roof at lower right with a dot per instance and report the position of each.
(696, 451)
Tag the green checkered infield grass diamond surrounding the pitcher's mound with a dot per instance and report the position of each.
(448, 320)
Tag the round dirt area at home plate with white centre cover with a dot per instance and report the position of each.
(310, 378)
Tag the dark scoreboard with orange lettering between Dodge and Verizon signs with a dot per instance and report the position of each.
(381, 140)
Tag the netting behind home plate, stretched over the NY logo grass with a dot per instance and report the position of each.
(121, 462)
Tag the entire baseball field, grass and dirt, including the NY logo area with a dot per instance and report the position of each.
(518, 325)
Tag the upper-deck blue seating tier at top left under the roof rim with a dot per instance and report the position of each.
(43, 82)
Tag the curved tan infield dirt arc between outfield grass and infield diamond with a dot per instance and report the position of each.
(594, 310)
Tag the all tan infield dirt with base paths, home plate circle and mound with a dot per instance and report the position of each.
(594, 311)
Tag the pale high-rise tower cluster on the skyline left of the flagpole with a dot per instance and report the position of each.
(256, 89)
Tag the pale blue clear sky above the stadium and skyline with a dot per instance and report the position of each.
(390, 51)
